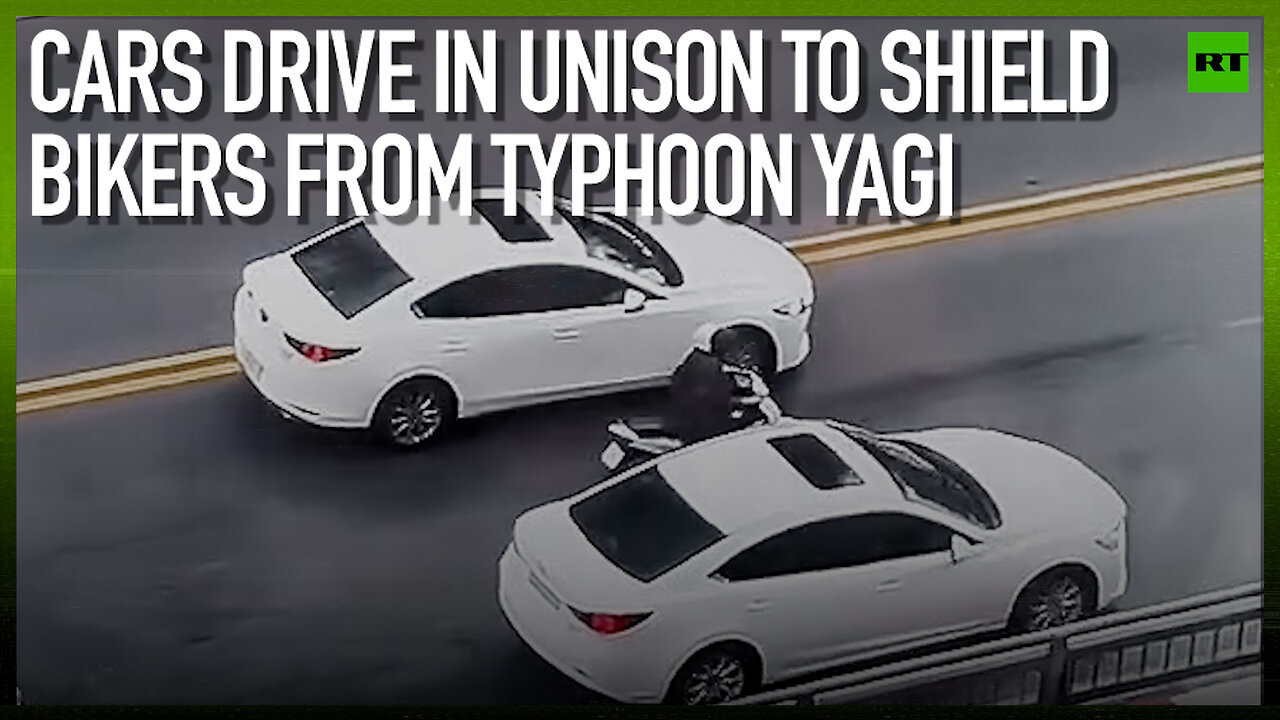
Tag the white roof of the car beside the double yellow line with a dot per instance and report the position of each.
(445, 245)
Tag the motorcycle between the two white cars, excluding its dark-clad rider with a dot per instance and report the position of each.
(638, 440)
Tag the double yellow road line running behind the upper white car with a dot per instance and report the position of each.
(840, 245)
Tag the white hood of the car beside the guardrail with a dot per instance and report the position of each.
(1036, 487)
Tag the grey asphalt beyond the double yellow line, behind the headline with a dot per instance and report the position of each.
(94, 293)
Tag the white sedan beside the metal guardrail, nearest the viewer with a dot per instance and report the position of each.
(785, 550)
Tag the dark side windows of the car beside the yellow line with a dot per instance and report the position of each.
(536, 289)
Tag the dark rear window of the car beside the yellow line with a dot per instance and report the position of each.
(351, 270)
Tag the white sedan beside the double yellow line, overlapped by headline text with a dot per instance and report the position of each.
(404, 325)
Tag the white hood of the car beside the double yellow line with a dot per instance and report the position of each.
(716, 254)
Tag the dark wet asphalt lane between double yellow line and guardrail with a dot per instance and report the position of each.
(189, 546)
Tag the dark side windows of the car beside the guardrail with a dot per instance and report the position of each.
(839, 543)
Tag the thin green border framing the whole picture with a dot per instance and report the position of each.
(653, 8)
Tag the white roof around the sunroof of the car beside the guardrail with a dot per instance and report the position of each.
(743, 480)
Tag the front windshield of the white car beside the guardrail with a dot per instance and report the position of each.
(927, 476)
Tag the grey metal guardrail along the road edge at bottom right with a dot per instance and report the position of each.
(1108, 657)
